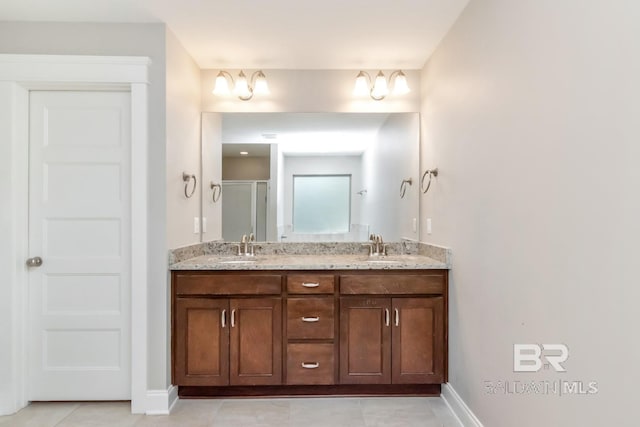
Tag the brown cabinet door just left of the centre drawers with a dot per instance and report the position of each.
(256, 341)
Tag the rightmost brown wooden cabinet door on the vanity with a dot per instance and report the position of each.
(418, 340)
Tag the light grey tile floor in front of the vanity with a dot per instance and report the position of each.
(305, 412)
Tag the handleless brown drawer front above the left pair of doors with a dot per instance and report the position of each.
(228, 284)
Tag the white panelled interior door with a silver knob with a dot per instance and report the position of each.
(79, 224)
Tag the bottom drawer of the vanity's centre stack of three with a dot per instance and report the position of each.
(310, 364)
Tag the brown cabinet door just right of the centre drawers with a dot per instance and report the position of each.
(365, 346)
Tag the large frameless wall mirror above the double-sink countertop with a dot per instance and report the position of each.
(310, 177)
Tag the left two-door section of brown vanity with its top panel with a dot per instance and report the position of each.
(218, 340)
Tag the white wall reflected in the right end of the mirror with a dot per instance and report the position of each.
(392, 158)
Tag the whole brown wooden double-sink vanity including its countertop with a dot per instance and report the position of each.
(309, 324)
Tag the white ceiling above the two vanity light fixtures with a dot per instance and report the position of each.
(274, 34)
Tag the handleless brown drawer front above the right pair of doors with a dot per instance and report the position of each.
(385, 284)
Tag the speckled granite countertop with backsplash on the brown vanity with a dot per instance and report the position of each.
(213, 256)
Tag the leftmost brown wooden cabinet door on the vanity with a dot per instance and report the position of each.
(202, 342)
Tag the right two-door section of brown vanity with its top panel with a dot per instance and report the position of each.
(392, 340)
